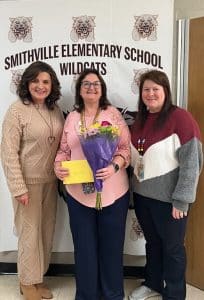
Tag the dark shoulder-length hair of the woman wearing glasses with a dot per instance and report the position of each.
(79, 102)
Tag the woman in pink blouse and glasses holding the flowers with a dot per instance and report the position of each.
(98, 235)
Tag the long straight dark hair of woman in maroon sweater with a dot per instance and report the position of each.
(159, 78)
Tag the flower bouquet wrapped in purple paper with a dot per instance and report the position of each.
(99, 142)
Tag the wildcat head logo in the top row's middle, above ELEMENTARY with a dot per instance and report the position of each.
(83, 28)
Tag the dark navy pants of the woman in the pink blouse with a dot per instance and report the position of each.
(98, 238)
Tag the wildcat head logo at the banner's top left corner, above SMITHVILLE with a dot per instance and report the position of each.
(20, 29)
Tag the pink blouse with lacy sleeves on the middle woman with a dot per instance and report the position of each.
(70, 149)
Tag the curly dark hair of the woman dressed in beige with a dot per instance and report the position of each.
(30, 73)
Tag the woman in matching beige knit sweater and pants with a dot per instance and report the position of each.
(31, 133)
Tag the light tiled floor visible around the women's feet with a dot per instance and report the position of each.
(64, 288)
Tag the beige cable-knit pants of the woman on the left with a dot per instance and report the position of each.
(35, 225)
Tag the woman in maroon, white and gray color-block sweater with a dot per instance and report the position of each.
(167, 160)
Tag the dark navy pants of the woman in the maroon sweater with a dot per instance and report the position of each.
(165, 251)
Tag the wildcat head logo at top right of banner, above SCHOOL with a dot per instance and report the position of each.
(145, 27)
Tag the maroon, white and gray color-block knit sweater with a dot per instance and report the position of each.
(172, 158)
